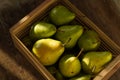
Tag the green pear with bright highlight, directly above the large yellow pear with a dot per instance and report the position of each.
(42, 30)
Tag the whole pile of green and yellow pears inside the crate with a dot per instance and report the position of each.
(68, 51)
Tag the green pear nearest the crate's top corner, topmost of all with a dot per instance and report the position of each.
(60, 15)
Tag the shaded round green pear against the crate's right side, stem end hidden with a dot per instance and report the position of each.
(89, 40)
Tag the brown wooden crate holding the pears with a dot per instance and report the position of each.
(23, 26)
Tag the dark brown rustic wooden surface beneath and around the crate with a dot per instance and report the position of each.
(14, 66)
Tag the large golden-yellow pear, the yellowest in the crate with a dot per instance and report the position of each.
(48, 51)
